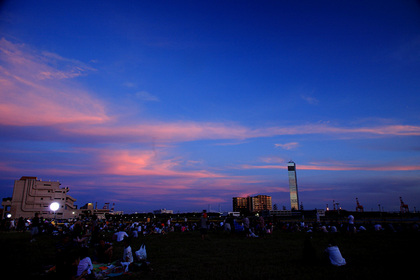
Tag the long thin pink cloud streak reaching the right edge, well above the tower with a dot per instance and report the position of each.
(191, 131)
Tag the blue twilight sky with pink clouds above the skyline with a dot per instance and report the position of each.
(186, 104)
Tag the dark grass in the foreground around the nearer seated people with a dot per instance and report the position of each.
(278, 256)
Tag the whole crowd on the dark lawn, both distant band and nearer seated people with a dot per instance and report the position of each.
(82, 243)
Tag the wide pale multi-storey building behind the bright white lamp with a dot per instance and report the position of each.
(32, 195)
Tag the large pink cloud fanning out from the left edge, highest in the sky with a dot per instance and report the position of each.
(33, 90)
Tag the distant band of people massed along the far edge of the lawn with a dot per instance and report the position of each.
(252, 226)
